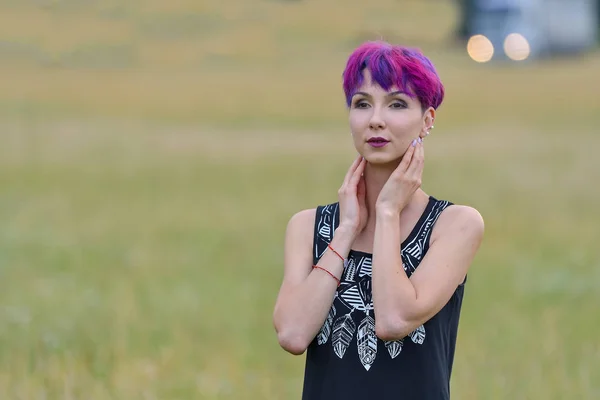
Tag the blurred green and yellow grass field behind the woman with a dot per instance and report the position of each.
(152, 152)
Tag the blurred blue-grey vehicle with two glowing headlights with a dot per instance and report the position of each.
(528, 29)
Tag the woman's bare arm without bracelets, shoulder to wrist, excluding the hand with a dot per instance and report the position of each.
(402, 304)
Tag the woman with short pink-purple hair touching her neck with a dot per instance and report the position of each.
(373, 284)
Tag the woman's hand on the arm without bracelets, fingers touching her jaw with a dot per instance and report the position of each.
(404, 181)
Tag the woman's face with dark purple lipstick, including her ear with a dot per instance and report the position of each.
(384, 123)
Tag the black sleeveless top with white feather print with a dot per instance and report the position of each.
(347, 361)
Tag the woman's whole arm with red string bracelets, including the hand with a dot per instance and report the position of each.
(306, 294)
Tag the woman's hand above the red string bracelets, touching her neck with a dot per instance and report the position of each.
(352, 198)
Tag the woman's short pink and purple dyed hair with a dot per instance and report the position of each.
(406, 68)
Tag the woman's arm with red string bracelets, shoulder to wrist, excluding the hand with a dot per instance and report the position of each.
(306, 294)
